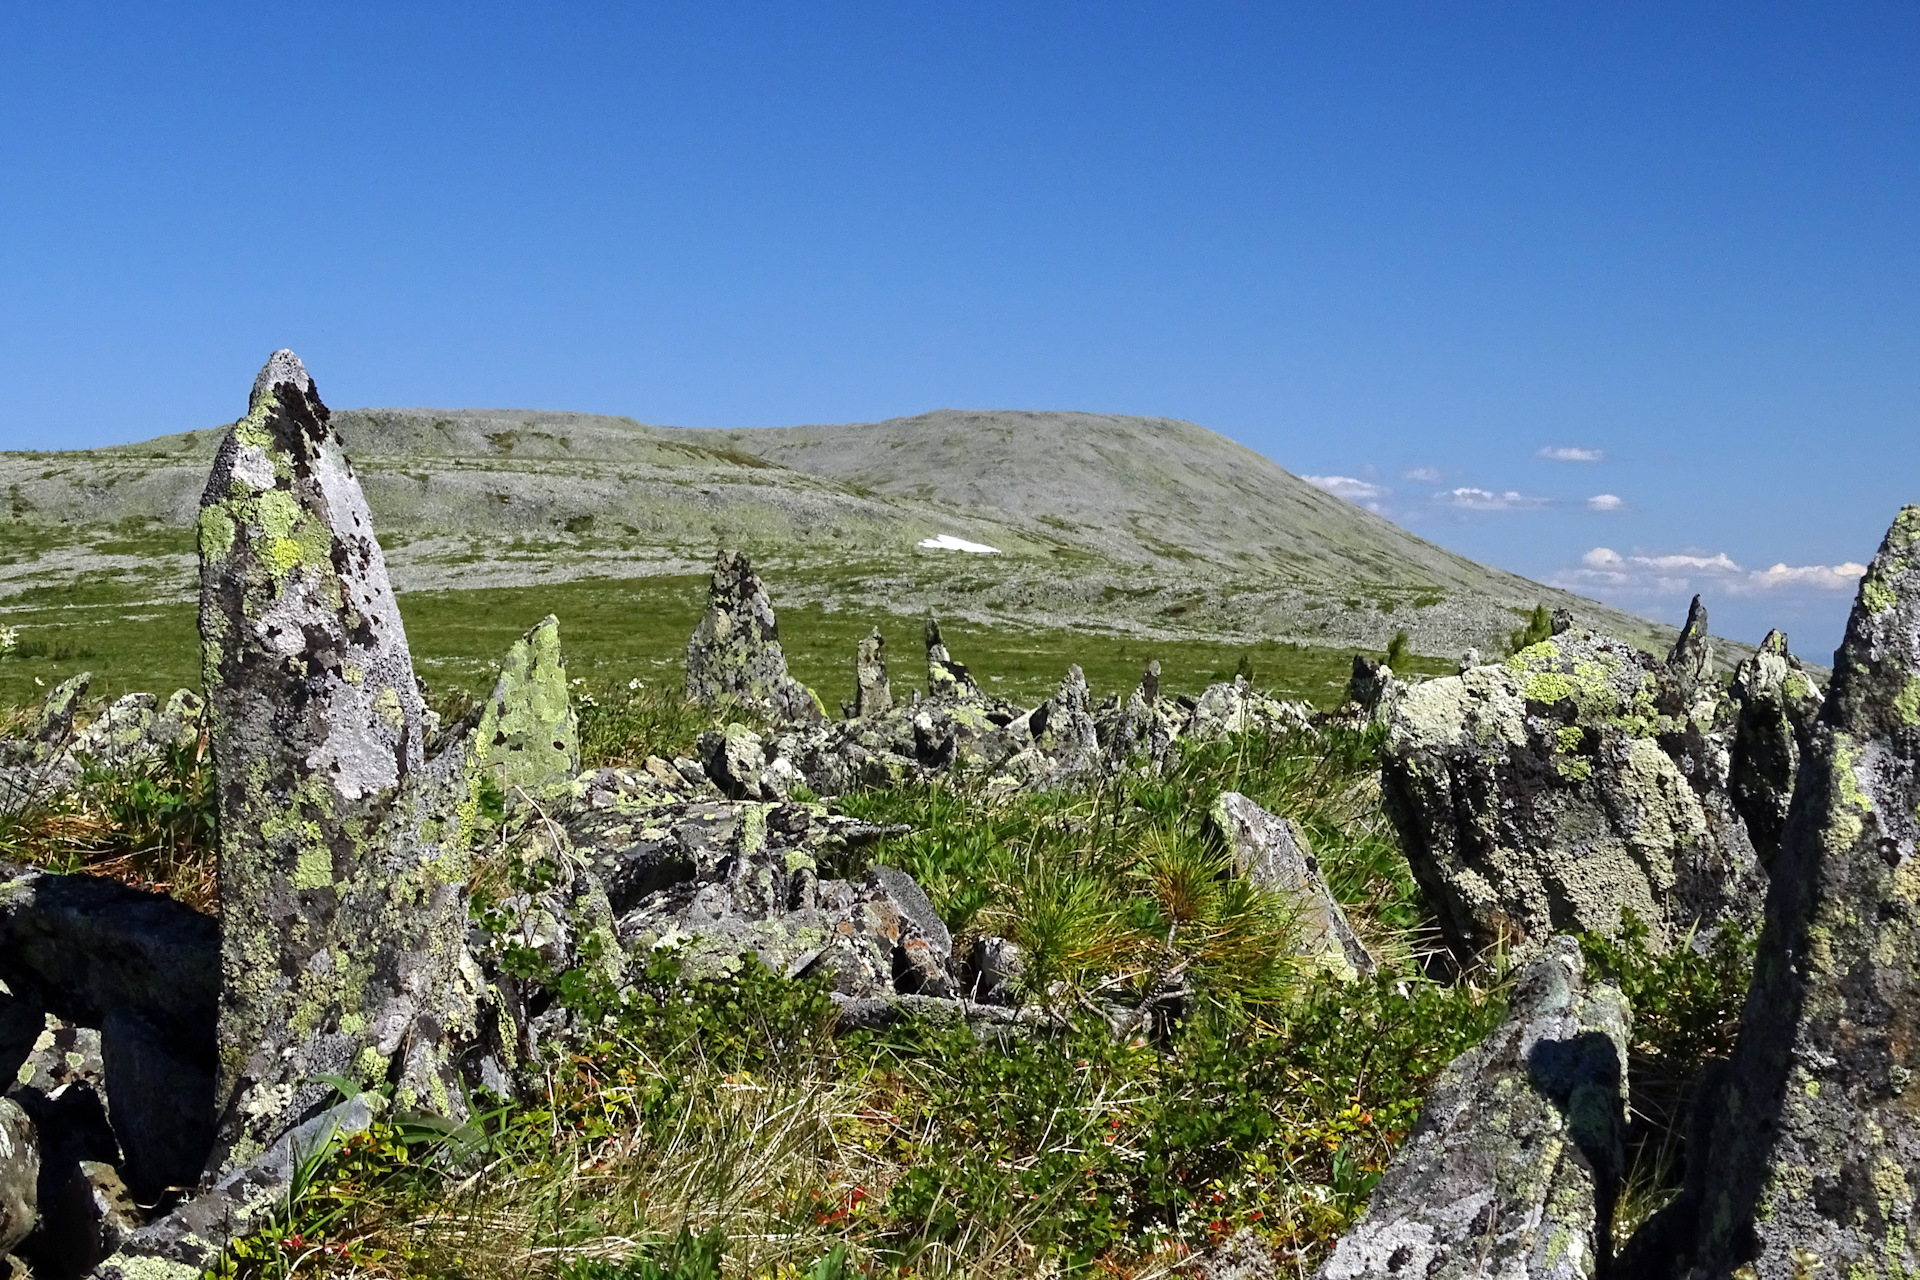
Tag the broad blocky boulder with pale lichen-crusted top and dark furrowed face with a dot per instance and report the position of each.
(1560, 790)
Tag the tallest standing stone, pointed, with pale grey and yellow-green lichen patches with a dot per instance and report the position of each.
(343, 863)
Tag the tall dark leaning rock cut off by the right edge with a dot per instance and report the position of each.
(1815, 1162)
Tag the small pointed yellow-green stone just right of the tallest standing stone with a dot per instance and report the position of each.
(529, 736)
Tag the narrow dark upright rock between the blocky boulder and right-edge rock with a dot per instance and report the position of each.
(1775, 703)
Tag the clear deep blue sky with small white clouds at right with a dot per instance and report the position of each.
(1403, 249)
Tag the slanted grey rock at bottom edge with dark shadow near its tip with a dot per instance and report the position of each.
(1516, 1162)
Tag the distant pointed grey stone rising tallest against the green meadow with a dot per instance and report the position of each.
(734, 655)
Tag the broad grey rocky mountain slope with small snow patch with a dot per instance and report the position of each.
(1149, 527)
